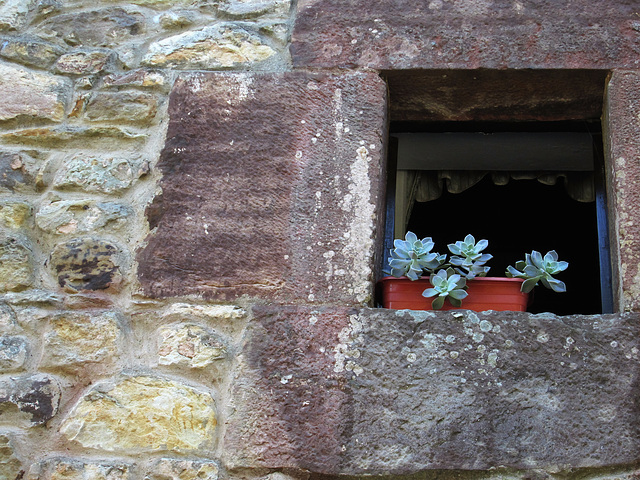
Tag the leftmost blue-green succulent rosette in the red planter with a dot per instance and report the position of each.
(411, 257)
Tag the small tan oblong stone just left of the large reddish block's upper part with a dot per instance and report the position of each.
(122, 107)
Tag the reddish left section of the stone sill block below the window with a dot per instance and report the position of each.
(290, 398)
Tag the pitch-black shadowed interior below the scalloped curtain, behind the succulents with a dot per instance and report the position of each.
(522, 216)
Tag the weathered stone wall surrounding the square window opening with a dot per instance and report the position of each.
(188, 257)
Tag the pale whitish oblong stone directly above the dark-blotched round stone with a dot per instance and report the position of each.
(62, 217)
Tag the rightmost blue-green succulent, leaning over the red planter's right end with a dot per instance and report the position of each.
(536, 268)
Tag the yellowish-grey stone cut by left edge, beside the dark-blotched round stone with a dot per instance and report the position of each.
(16, 263)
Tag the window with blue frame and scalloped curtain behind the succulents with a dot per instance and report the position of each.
(565, 211)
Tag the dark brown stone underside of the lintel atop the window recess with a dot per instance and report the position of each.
(495, 95)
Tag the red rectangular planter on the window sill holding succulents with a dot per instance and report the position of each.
(485, 293)
